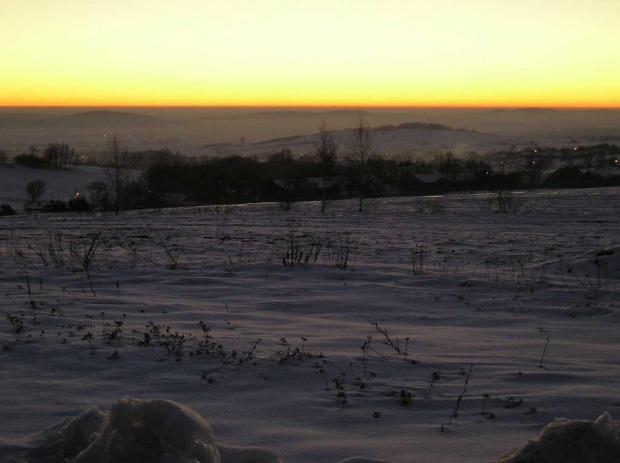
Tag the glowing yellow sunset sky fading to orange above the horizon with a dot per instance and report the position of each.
(458, 53)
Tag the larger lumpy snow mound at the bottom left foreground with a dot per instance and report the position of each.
(157, 431)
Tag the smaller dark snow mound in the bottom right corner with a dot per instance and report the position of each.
(573, 441)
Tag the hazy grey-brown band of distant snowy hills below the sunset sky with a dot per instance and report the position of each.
(218, 131)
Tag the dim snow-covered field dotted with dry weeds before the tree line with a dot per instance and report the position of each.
(319, 362)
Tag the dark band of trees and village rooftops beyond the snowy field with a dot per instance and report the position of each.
(152, 179)
